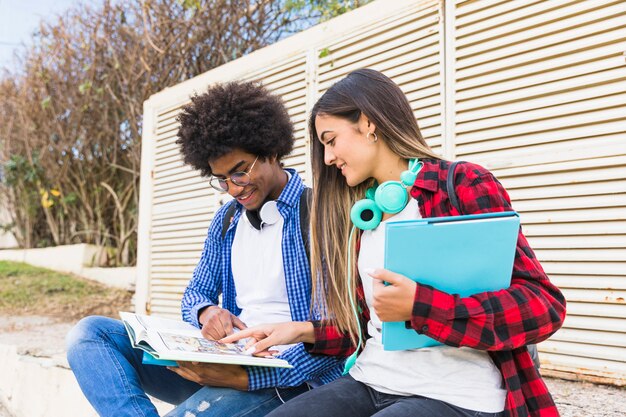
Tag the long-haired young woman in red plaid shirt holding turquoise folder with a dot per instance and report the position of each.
(363, 133)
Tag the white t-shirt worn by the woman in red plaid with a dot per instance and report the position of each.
(463, 377)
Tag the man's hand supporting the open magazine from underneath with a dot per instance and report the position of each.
(213, 374)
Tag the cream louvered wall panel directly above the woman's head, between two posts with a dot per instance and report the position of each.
(408, 49)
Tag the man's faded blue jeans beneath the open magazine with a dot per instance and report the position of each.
(115, 381)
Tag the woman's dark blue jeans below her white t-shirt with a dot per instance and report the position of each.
(348, 397)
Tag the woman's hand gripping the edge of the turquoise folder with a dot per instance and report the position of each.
(393, 302)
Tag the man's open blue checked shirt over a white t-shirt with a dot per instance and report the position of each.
(213, 276)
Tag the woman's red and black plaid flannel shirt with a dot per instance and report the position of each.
(501, 322)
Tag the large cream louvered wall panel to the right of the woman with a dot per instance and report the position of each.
(541, 100)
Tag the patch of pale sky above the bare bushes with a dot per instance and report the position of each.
(20, 18)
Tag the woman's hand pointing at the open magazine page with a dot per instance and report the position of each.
(264, 336)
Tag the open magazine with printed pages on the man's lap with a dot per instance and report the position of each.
(165, 340)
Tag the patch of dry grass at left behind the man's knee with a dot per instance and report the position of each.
(29, 290)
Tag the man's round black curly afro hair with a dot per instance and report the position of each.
(234, 115)
